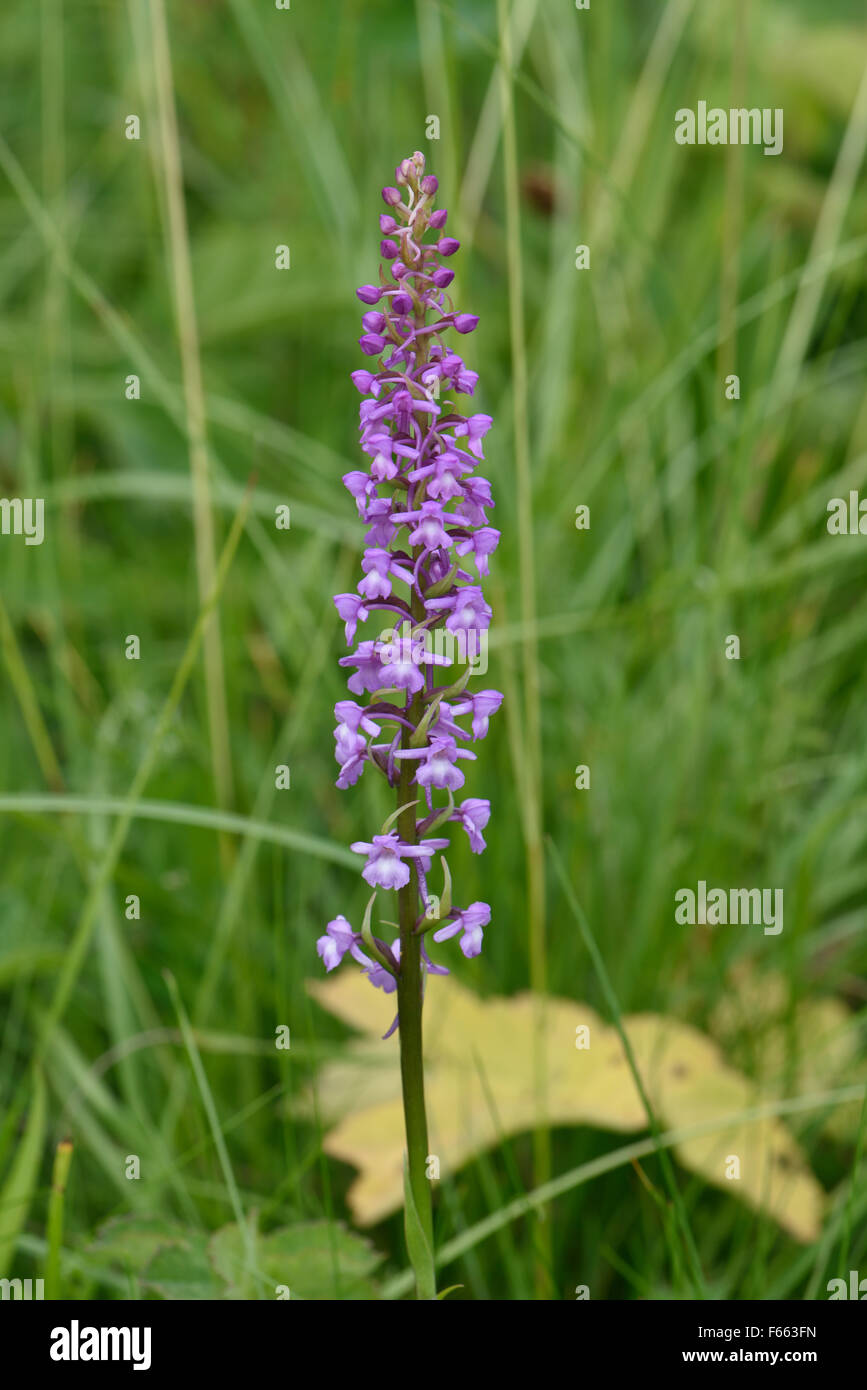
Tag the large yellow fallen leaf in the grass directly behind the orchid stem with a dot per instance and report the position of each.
(495, 1068)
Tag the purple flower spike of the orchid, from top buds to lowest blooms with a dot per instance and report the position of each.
(426, 508)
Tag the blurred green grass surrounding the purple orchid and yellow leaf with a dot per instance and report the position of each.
(708, 519)
